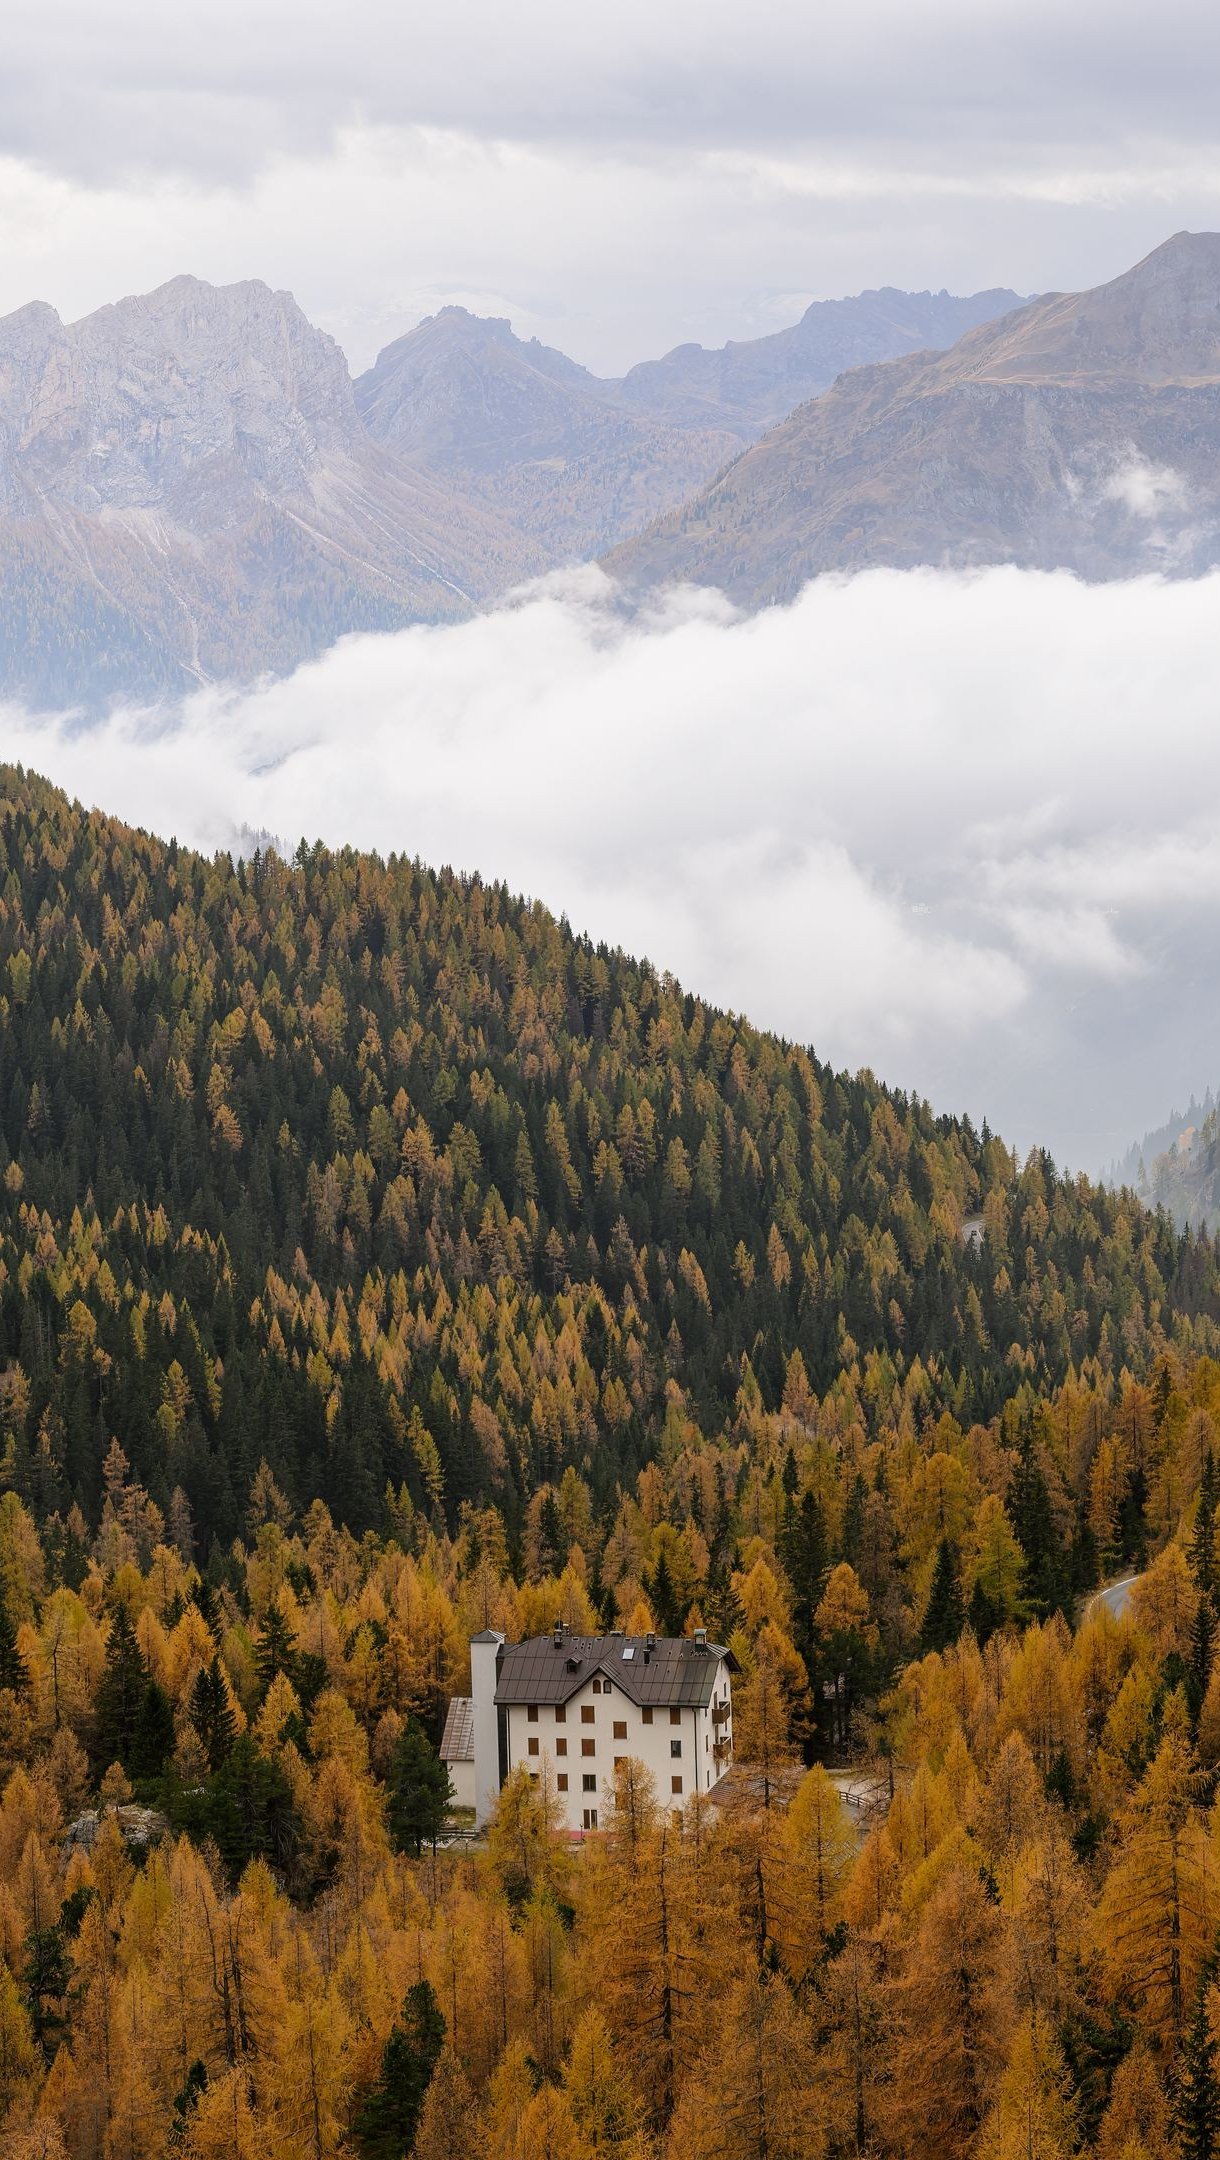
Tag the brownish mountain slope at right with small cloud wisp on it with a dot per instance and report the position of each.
(1081, 431)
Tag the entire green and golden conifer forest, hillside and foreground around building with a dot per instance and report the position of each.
(381, 1263)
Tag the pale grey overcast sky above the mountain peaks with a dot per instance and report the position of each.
(616, 178)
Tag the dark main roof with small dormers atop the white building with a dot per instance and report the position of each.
(677, 1673)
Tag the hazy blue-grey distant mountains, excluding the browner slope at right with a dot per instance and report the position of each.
(193, 487)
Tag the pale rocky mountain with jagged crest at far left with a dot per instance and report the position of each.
(187, 491)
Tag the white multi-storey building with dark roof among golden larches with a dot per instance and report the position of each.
(580, 1705)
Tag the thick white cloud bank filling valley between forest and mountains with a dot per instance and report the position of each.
(964, 831)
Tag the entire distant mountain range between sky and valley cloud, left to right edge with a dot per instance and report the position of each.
(193, 489)
